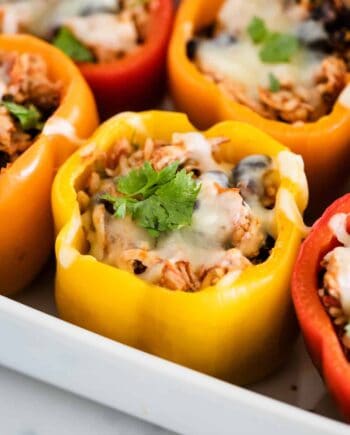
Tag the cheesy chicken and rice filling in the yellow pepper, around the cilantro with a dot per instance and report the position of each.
(225, 235)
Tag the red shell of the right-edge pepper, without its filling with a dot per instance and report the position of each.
(320, 337)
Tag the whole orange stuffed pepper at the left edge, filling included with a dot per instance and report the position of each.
(46, 109)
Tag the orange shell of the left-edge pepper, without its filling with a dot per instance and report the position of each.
(26, 230)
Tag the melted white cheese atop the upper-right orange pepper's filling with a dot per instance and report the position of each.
(240, 61)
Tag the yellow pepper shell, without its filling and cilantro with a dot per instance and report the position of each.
(240, 331)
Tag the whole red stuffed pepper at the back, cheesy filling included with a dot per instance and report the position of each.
(119, 45)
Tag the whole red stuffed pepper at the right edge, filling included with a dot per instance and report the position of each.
(321, 293)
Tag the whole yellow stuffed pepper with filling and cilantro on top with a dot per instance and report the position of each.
(181, 243)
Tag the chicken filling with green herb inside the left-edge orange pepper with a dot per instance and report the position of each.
(27, 98)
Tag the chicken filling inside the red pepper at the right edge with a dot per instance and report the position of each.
(335, 292)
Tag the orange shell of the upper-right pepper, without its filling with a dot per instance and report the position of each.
(324, 144)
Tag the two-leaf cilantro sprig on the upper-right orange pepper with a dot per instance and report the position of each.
(276, 47)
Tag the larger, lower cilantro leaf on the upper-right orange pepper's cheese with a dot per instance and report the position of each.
(278, 48)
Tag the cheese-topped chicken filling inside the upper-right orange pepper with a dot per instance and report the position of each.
(302, 89)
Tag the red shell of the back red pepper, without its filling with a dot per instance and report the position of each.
(137, 81)
